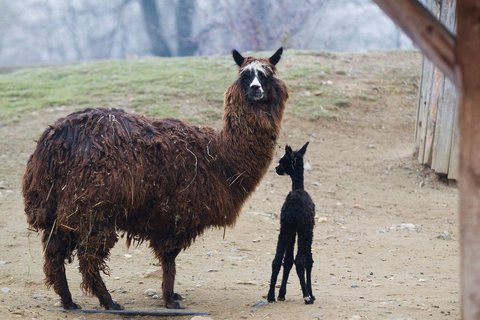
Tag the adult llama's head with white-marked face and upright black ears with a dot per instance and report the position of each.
(256, 74)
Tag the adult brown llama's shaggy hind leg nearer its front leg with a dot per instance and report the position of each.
(91, 256)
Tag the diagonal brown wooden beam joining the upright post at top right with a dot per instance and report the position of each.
(436, 42)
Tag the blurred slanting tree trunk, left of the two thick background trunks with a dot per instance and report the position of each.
(152, 19)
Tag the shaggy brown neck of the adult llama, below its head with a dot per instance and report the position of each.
(247, 142)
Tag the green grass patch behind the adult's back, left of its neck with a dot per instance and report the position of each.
(157, 87)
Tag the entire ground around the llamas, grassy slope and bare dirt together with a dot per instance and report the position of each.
(386, 235)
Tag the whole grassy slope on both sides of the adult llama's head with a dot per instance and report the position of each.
(190, 88)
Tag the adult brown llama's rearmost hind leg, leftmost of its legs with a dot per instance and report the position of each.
(57, 248)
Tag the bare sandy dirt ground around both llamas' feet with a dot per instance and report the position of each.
(386, 236)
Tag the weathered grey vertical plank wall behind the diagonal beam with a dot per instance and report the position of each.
(436, 137)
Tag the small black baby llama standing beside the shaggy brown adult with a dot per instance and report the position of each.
(297, 218)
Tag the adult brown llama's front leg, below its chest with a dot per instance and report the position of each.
(172, 300)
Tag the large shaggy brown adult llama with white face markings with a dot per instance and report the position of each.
(101, 171)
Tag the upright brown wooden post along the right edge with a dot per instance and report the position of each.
(468, 60)
